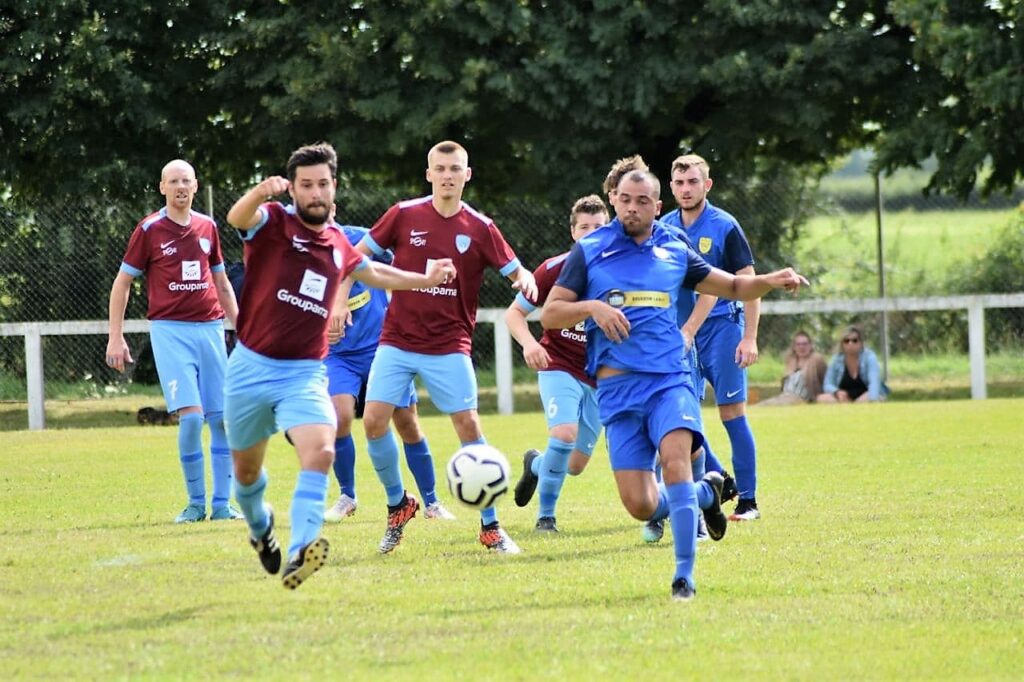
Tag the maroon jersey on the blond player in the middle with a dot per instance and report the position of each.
(440, 320)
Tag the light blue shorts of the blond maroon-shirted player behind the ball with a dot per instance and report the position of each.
(450, 379)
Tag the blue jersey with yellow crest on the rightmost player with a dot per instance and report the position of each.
(719, 239)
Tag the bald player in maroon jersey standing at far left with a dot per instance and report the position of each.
(179, 250)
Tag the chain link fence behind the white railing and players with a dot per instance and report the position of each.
(58, 263)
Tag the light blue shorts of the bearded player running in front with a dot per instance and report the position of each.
(264, 395)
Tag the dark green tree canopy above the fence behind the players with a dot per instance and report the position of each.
(544, 95)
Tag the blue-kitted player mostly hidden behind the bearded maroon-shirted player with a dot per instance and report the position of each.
(348, 365)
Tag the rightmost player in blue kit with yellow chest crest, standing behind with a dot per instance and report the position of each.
(726, 332)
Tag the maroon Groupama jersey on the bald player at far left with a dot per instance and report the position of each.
(178, 262)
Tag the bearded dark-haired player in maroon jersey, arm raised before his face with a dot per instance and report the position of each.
(296, 259)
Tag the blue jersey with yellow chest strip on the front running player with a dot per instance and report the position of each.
(644, 280)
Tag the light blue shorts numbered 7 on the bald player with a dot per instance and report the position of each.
(192, 360)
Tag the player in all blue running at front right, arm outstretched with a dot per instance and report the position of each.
(624, 281)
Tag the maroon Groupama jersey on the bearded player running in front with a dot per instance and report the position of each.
(292, 275)
